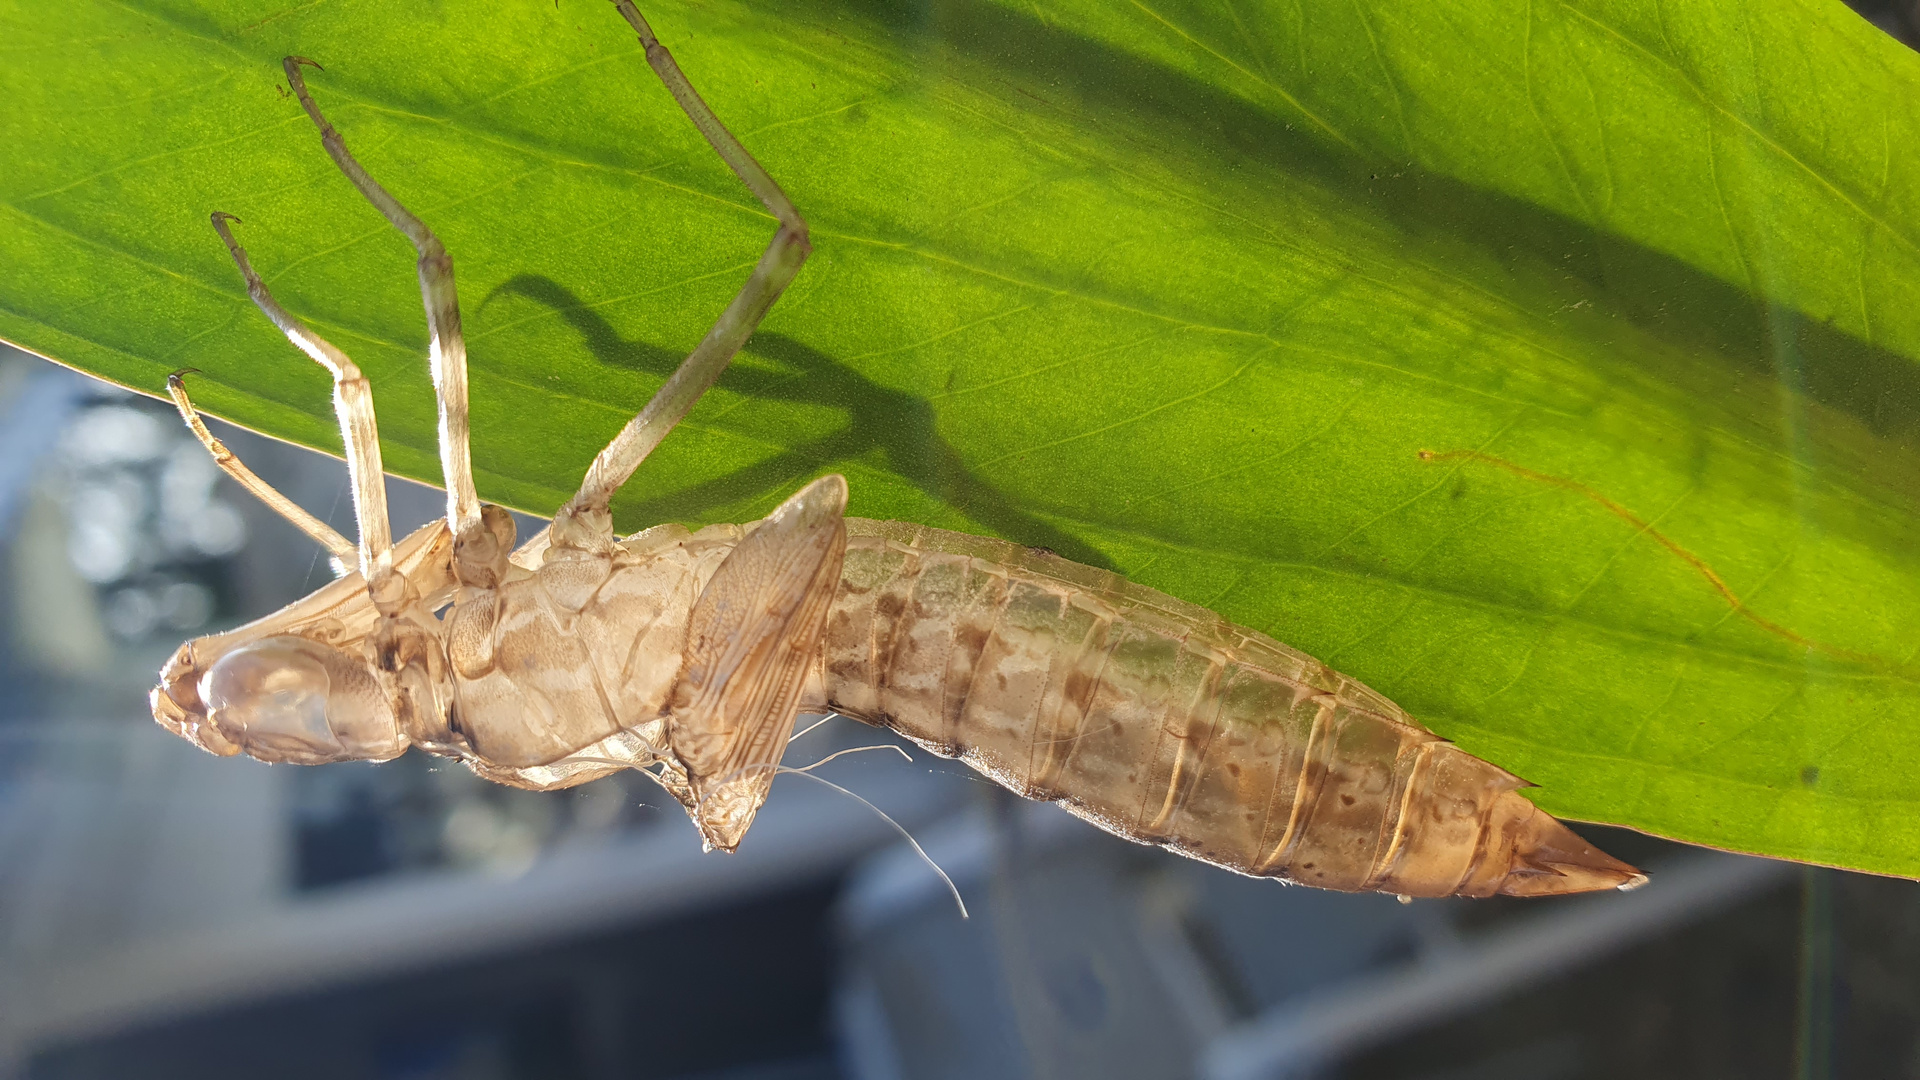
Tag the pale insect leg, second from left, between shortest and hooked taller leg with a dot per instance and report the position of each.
(352, 405)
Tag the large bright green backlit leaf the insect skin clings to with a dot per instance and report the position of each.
(1178, 287)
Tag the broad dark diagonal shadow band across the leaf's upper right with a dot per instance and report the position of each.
(1045, 66)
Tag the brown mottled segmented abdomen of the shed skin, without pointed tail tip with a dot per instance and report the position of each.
(1151, 718)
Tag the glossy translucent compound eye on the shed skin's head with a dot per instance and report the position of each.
(299, 700)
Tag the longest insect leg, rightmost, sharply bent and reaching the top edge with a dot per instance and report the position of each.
(706, 364)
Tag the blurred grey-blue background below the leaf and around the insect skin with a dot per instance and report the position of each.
(166, 914)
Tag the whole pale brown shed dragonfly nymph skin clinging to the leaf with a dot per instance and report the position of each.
(688, 654)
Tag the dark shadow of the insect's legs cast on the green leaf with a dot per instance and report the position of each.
(882, 418)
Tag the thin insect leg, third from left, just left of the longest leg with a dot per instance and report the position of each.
(446, 347)
